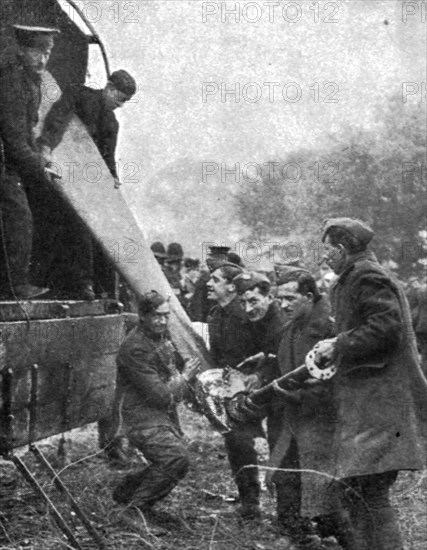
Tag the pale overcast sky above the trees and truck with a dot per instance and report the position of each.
(336, 63)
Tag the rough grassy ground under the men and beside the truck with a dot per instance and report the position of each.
(205, 519)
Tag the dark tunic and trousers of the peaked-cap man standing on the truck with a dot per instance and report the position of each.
(20, 98)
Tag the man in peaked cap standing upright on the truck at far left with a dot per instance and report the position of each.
(24, 170)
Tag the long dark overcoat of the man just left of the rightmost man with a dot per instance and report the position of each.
(311, 421)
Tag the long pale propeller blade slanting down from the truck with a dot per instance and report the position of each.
(89, 188)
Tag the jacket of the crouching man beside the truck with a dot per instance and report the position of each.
(146, 390)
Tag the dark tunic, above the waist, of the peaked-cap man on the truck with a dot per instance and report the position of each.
(20, 97)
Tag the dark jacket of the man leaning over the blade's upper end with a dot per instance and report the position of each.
(89, 105)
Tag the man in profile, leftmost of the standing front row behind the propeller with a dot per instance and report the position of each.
(231, 344)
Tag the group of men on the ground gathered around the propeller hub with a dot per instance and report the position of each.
(336, 446)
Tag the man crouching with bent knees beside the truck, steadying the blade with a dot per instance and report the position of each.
(151, 379)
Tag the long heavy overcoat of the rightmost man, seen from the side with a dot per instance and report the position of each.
(379, 389)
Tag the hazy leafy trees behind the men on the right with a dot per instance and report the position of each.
(378, 177)
